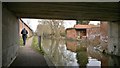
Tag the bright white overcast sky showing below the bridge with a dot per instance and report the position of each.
(32, 23)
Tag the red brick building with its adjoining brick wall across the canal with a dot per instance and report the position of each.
(83, 31)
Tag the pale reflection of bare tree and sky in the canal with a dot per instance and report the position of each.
(58, 53)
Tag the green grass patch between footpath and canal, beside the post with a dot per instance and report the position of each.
(35, 45)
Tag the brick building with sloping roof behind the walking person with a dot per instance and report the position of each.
(23, 25)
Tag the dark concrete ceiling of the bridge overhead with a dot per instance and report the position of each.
(66, 10)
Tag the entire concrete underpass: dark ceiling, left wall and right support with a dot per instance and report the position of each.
(12, 11)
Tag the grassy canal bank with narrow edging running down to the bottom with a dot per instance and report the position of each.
(36, 46)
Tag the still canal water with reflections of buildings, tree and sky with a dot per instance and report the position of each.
(76, 54)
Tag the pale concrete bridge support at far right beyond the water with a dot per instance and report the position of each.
(114, 38)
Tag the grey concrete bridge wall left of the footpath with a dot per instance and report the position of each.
(10, 36)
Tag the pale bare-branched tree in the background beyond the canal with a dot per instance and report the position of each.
(50, 27)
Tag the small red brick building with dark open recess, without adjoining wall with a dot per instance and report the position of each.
(77, 32)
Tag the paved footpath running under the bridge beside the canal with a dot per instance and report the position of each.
(28, 57)
